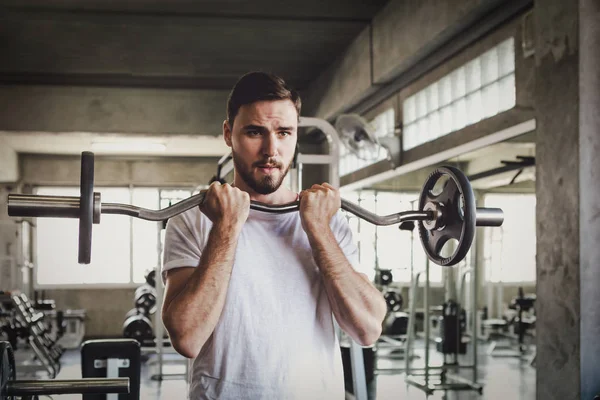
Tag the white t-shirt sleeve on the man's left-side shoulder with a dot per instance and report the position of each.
(184, 241)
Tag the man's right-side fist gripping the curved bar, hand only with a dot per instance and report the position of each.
(317, 206)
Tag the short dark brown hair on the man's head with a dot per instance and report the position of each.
(259, 86)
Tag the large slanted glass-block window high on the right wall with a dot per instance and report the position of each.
(480, 89)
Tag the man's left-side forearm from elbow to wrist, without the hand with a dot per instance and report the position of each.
(193, 314)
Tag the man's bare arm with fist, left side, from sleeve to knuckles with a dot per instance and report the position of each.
(194, 297)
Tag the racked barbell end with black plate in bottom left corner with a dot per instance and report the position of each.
(30, 389)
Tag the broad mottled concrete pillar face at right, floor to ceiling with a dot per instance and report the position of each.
(557, 189)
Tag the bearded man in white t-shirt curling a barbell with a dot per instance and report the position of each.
(249, 295)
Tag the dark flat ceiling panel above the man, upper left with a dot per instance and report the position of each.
(177, 43)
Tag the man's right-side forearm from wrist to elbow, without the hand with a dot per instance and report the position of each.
(357, 305)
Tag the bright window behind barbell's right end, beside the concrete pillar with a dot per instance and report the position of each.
(510, 250)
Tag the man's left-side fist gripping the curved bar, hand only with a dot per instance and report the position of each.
(226, 205)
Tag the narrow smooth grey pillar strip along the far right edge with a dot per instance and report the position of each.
(589, 195)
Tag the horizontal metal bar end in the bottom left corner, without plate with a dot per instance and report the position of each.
(74, 386)
